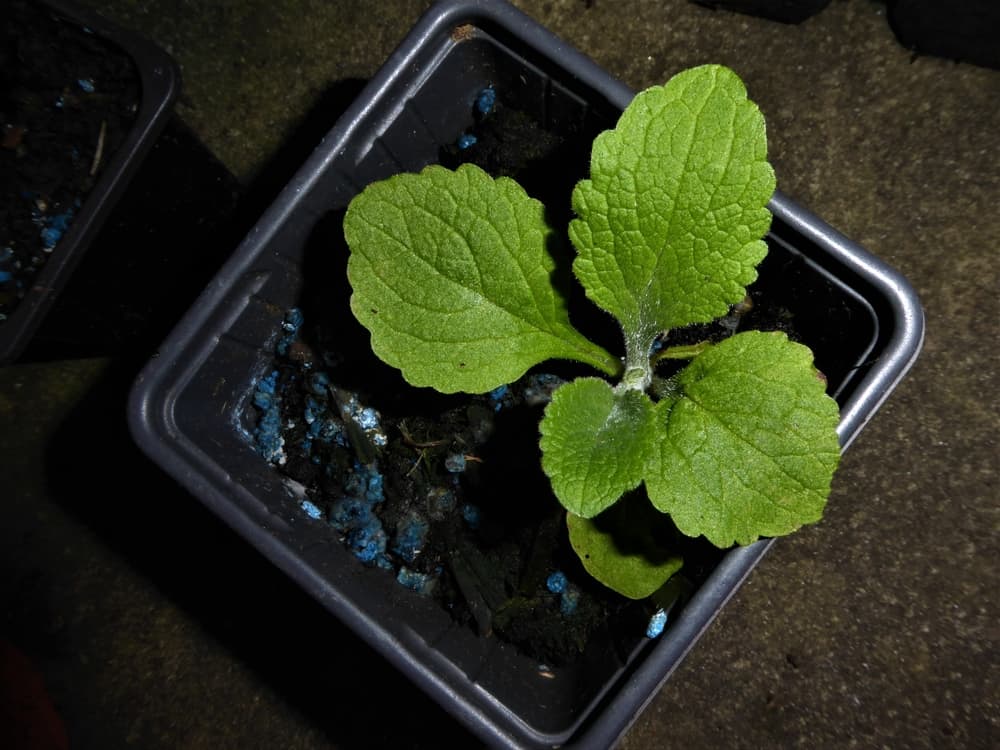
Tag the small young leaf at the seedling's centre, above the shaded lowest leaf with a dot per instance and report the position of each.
(595, 443)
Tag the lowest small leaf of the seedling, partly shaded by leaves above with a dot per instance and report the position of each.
(634, 567)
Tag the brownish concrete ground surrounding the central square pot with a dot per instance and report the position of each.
(155, 628)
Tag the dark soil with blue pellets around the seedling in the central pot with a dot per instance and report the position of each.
(446, 493)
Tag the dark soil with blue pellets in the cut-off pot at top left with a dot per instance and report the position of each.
(67, 101)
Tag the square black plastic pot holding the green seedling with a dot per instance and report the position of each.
(189, 409)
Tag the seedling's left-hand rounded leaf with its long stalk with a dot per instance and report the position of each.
(451, 275)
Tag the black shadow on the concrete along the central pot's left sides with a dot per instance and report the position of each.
(178, 548)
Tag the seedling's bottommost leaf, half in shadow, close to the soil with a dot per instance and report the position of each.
(621, 549)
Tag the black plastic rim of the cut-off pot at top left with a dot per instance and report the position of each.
(159, 82)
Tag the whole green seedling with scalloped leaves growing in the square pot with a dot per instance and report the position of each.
(452, 277)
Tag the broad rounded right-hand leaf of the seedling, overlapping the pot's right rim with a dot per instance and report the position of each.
(750, 446)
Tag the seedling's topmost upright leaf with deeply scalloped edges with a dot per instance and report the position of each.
(670, 222)
